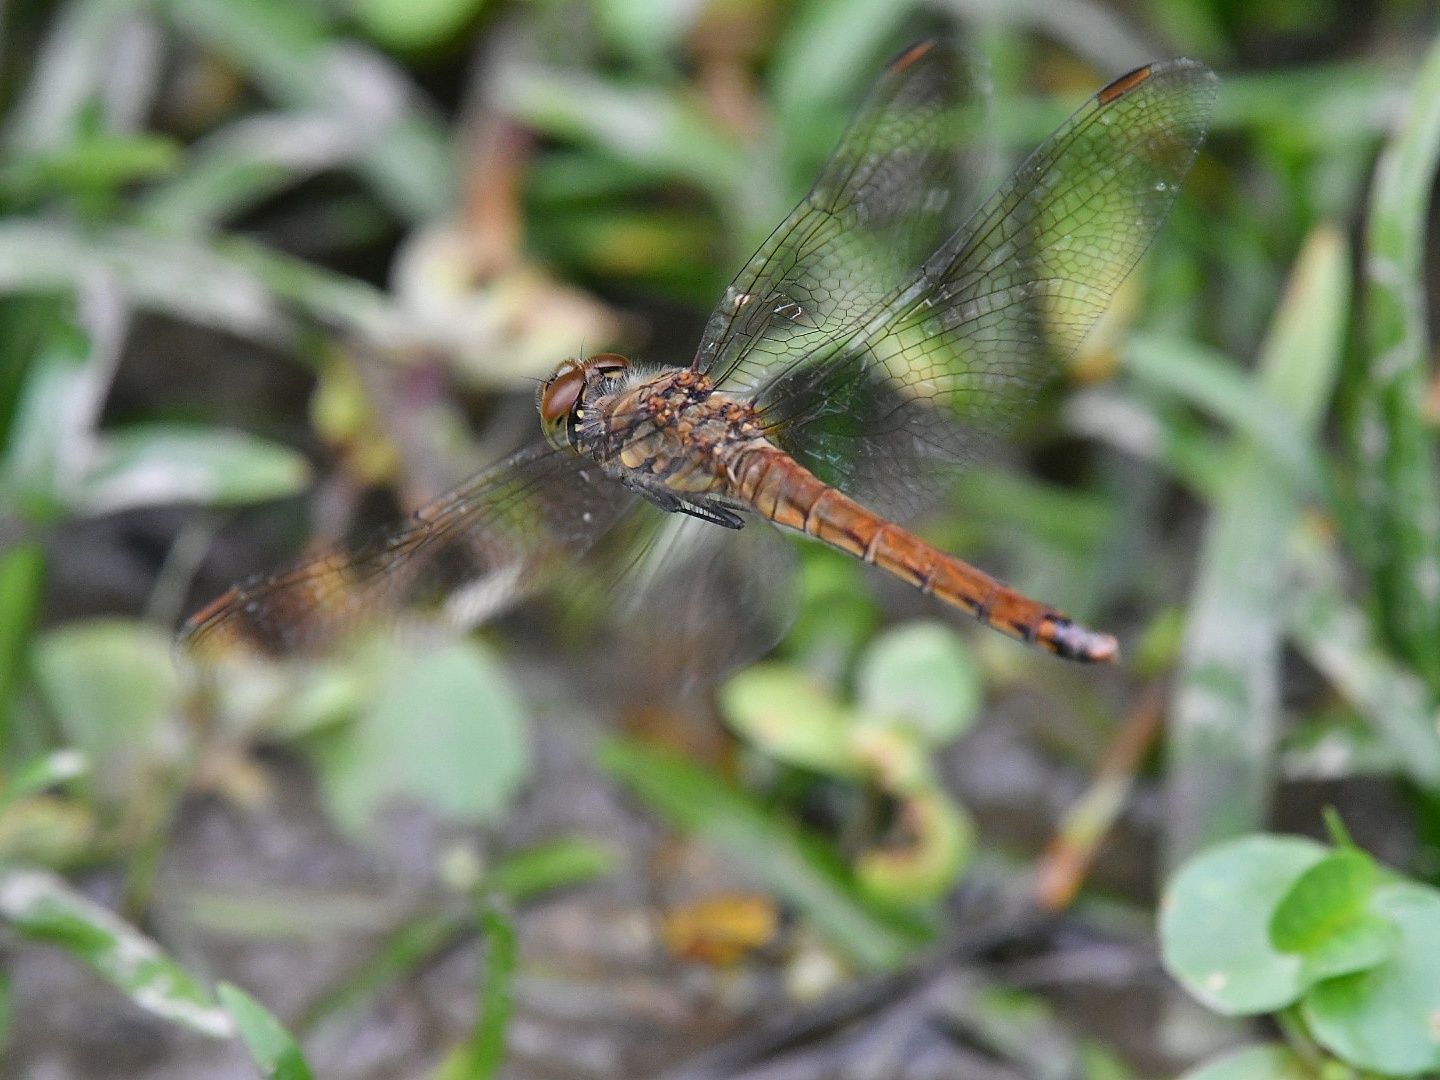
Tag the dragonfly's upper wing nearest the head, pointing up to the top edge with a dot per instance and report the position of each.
(879, 208)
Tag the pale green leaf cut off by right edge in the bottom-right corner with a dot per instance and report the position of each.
(1389, 1019)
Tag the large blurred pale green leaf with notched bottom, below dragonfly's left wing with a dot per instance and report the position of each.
(443, 726)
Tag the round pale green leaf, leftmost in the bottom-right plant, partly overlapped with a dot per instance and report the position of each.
(1216, 924)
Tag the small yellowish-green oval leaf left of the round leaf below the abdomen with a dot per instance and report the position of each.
(787, 715)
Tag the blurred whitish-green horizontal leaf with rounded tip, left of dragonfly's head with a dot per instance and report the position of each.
(163, 463)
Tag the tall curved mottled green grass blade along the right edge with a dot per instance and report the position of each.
(1393, 440)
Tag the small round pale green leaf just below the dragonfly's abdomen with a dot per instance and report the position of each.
(921, 673)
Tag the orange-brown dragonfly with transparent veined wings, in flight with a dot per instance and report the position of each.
(863, 356)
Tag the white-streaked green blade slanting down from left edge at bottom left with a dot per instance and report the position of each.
(44, 908)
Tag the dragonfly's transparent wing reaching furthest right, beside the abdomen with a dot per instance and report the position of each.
(948, 361)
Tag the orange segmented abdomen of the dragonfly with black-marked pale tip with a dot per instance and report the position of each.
(791, 496)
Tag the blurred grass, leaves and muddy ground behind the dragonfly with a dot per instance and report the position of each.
(273, 269)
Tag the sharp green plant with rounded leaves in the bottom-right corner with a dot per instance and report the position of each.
(1338, 948)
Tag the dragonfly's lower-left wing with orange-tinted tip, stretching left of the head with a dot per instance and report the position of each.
(460, 561)
